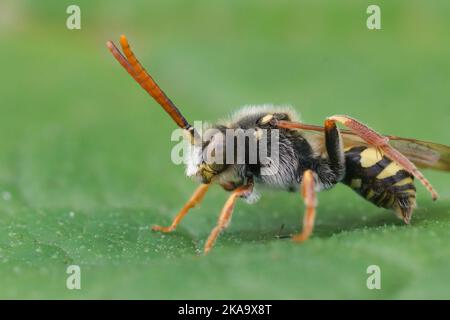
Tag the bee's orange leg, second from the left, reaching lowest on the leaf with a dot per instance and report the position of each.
(225, 215)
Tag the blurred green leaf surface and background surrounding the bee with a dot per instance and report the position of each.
(85, 165)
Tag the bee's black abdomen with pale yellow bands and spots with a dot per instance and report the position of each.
(379, 180)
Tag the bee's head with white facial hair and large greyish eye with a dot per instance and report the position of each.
(206, 158)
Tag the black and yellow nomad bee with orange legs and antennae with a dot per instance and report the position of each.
(311, 158)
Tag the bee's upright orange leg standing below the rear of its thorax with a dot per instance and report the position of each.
(309, 197)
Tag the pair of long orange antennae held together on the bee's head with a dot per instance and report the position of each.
(135, 69)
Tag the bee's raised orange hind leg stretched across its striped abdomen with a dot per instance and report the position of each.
(377, 140)
